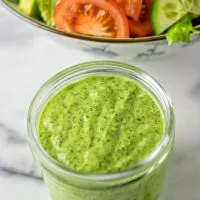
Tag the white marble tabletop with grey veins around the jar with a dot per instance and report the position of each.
(28, 57)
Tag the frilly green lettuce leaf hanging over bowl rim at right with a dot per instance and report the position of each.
(181, 31)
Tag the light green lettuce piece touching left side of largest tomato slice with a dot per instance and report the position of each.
(46, 8)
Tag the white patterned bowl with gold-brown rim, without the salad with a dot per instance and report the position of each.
(143, 48)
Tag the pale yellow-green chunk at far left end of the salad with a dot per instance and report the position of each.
(29, 7)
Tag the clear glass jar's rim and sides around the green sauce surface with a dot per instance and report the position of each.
(142, 182)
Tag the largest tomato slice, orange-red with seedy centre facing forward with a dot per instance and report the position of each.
(101, 18)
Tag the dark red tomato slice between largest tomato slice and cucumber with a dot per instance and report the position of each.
(143, 27)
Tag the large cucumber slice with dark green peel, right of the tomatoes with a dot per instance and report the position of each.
(165, 13)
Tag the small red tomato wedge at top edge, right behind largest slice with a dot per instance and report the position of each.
(132, 8)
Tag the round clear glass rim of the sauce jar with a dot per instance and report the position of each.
(140, 168)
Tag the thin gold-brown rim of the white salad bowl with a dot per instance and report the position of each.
(39, 24)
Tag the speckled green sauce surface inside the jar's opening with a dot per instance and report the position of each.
(100, 124)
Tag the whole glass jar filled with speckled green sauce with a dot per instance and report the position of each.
(102, 131)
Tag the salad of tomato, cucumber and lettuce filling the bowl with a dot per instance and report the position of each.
(118, 18)
